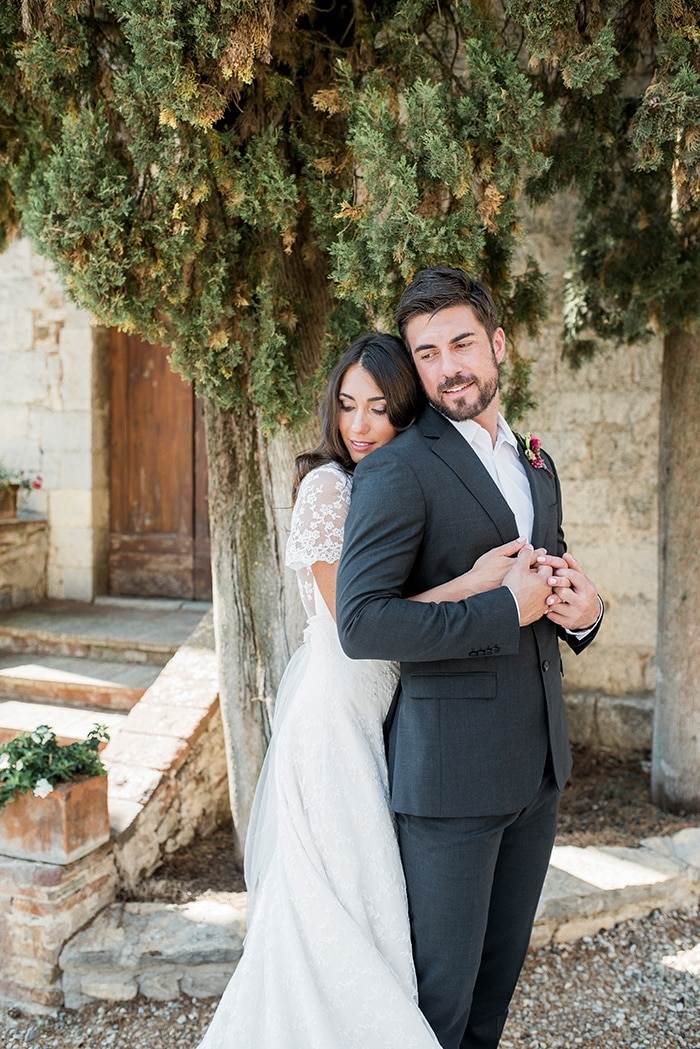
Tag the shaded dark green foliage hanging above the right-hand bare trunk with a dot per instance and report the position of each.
(632, 152)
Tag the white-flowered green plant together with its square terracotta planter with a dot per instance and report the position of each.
(53, 797)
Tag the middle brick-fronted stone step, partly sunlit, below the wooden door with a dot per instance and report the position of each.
(102, 684)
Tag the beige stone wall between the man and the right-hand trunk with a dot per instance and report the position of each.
(602, 425)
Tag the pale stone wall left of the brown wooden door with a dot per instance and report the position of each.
(54, 416)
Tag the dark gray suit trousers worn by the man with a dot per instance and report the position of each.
(474, 886)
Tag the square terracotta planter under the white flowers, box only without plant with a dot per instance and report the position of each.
(67, 825)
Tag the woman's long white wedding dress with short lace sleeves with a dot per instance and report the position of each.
(327, 962)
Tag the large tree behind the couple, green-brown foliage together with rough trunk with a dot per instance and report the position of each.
(251, 183)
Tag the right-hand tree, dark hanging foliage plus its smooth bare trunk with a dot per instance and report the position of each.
(627, 77)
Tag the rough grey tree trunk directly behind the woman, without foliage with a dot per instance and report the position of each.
(249, 504)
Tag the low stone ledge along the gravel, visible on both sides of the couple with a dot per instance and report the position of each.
(163, 951)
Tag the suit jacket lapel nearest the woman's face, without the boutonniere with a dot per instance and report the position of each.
(458, 455)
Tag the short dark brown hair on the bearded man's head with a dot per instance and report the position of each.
(441, 287)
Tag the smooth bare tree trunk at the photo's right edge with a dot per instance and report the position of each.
(676, 754)
